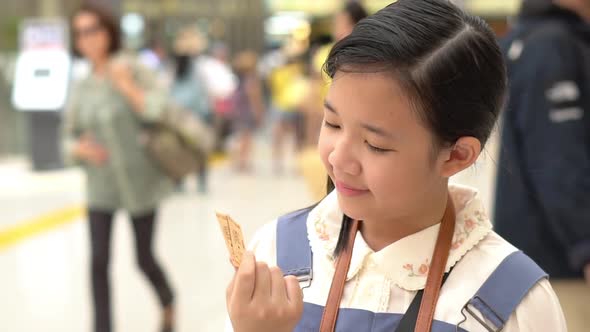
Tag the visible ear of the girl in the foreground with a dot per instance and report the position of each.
(461, 156)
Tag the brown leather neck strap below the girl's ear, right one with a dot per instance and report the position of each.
(437, 269)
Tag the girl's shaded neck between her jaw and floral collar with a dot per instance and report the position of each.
(379, 234)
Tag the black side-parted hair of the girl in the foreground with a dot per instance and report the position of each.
(447, 62)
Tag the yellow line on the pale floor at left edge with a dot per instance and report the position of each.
(29, 228)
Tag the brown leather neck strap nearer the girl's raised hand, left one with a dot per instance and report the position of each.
(330, 315)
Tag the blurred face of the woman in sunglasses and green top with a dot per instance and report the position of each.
(91, 38)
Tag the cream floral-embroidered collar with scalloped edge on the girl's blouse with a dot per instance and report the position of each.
(405, 262)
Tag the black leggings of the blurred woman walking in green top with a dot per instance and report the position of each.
(100, 237)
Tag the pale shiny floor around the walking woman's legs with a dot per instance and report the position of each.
(44, 281)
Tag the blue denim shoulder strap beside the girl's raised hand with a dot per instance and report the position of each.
(294, 255)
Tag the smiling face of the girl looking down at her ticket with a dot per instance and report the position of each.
(376, 150)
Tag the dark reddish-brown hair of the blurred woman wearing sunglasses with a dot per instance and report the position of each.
(106, 19)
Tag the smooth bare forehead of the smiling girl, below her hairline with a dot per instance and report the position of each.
(373, 97)
